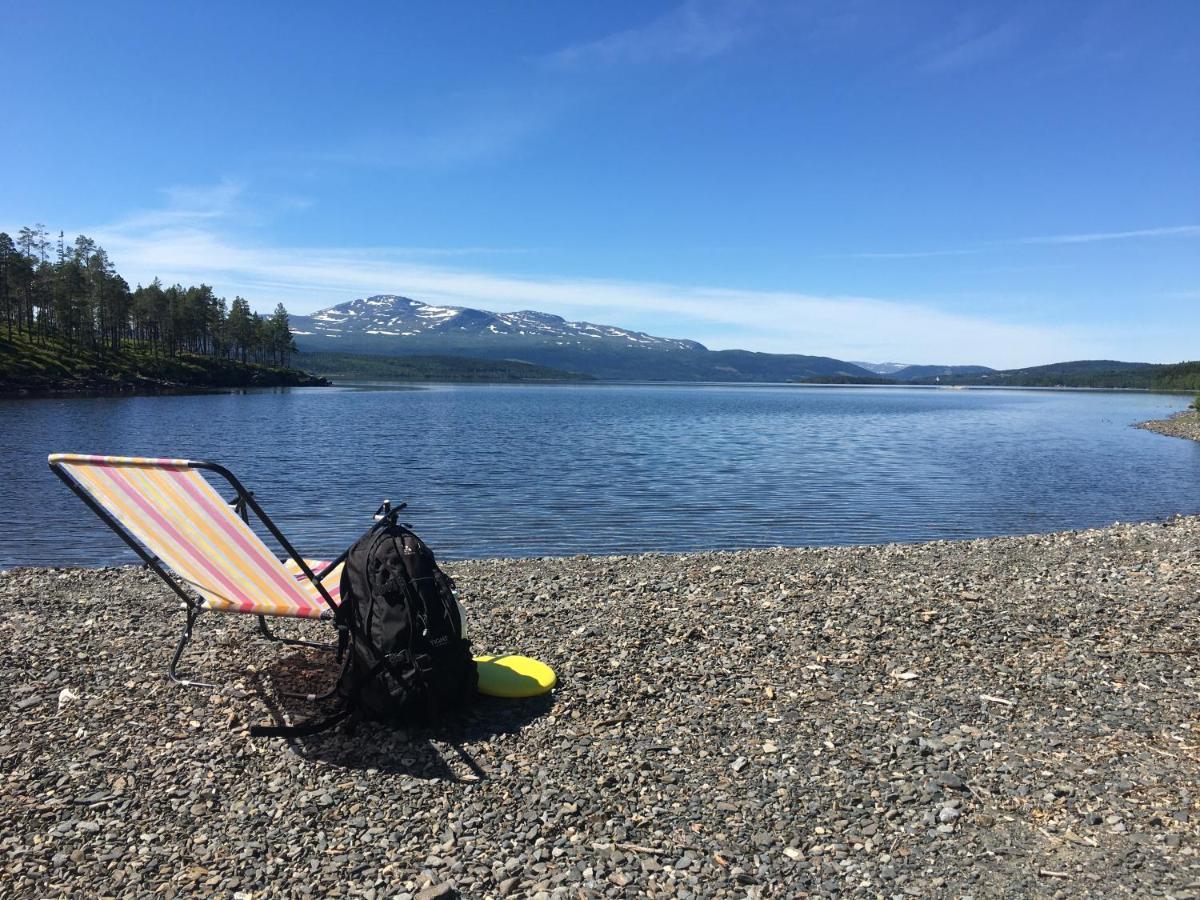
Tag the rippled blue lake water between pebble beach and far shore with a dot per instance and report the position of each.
(524, 471)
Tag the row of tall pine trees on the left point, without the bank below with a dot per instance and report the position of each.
(73, 292)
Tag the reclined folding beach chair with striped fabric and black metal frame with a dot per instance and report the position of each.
(202, 545)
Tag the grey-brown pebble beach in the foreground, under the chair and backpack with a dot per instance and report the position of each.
(1013, 717)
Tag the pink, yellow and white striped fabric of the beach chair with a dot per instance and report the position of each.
(176, 514)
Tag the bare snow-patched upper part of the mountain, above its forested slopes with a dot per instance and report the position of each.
(418, 326)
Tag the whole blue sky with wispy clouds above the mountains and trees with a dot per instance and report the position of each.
(995, 183)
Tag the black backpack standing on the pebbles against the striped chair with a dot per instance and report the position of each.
(409, 661)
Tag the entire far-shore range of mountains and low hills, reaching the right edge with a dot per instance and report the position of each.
(393, 326)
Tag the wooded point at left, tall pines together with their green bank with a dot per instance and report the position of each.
(70, 322)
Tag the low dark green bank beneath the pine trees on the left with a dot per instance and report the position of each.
(53, 367)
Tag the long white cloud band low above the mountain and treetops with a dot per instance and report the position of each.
(307, 279)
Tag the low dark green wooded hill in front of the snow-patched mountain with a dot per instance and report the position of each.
(429, 369)
